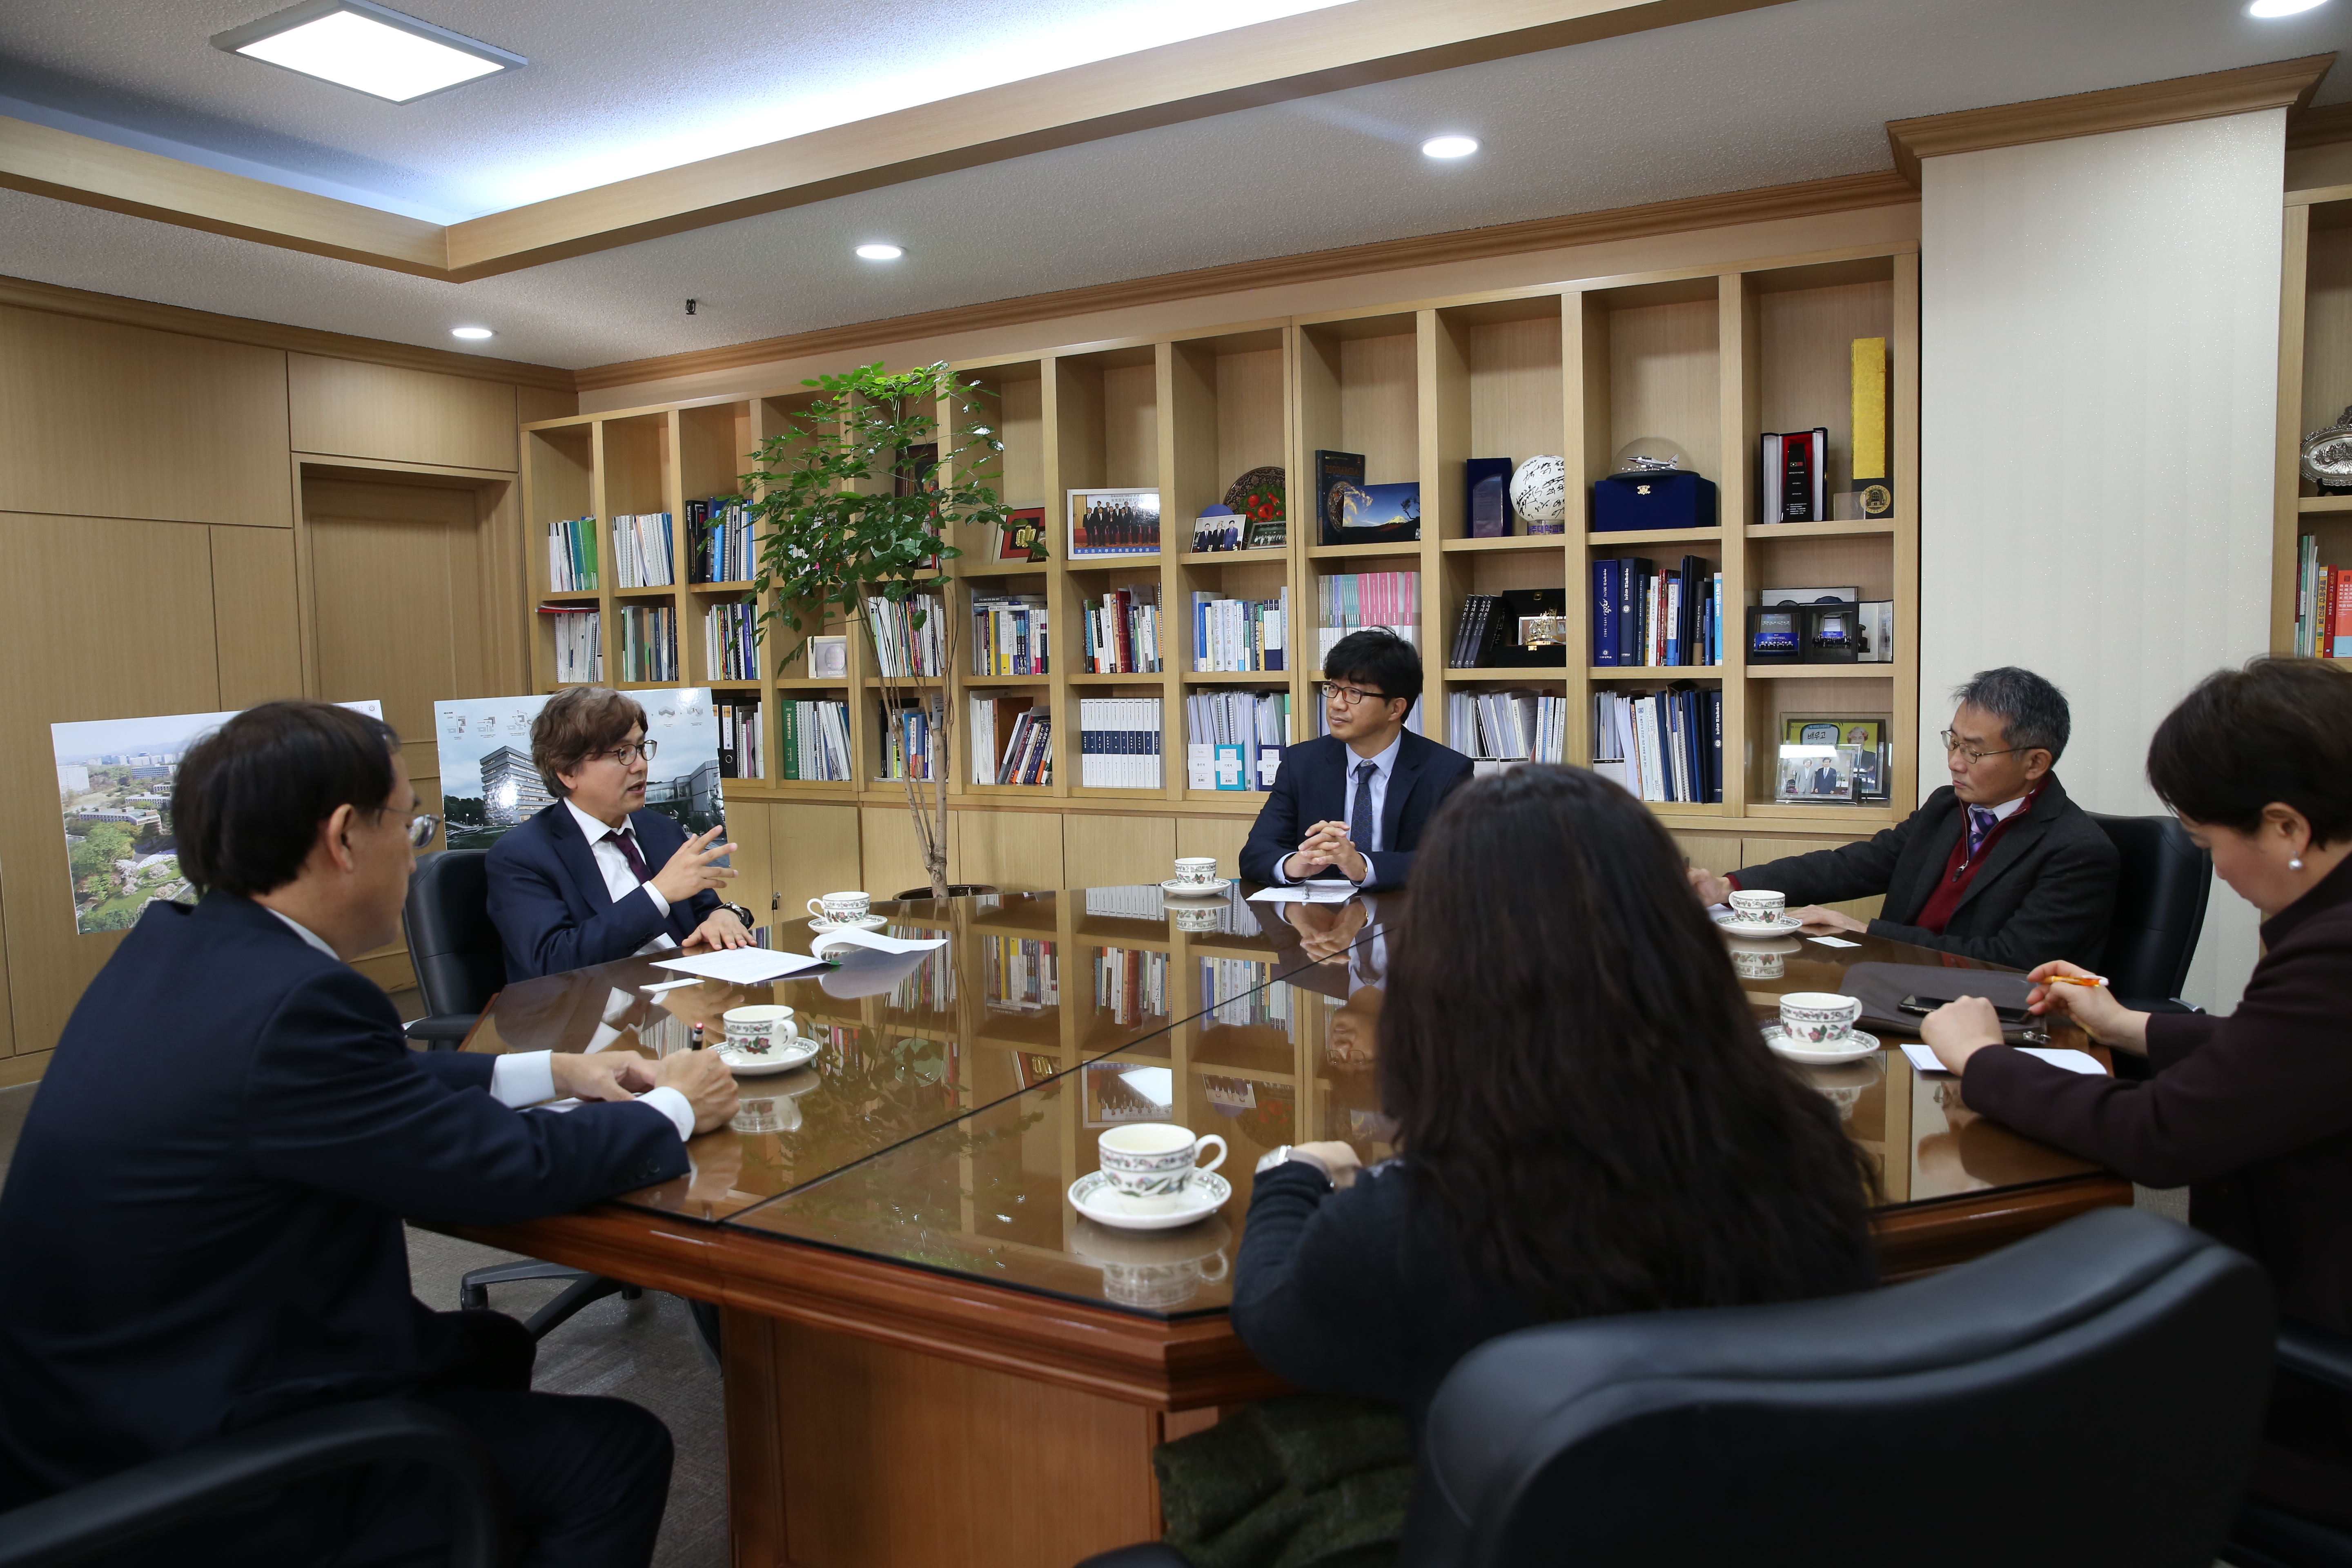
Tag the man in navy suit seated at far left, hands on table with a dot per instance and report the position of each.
(201, 1226)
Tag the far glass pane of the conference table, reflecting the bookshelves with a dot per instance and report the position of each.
(1024, 989)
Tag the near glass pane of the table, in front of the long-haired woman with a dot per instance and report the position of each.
(1292, 1061)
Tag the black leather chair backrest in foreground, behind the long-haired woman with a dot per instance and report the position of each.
(2085, 1398)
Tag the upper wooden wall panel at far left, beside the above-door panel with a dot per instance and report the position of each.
(123, 422)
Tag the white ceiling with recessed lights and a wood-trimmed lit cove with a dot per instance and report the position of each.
(1760, 98)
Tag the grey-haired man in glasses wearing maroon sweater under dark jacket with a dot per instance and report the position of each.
(1998, 866)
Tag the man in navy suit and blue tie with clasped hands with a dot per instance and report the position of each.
(1356, 803)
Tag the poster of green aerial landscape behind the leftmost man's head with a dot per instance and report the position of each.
(114, 789)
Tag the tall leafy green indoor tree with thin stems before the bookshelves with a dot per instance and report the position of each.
(857, 507)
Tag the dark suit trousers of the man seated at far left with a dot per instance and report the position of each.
(587, 1482)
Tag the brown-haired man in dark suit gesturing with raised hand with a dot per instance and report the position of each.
(575, 885)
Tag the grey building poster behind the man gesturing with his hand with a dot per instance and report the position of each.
(490, 784)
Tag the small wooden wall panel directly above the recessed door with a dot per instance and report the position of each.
(403, 415)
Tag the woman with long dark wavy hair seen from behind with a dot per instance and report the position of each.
(1589, 1118)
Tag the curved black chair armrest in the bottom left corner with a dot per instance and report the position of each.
(255, 1463)
